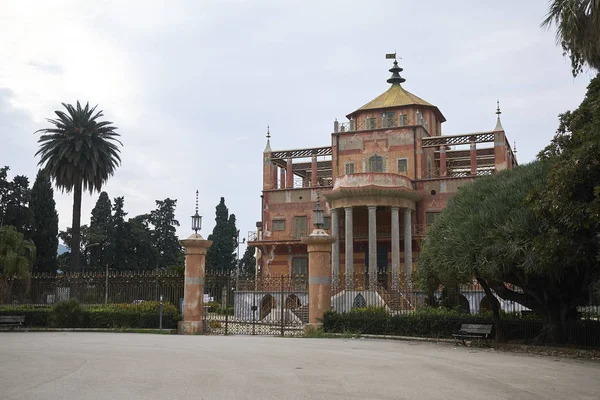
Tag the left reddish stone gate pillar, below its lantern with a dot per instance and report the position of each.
(193, 292)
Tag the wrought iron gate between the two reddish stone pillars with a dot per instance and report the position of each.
(249, 305)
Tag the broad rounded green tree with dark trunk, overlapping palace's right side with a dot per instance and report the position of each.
(488, 233)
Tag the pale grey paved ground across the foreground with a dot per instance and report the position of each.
(70, 365)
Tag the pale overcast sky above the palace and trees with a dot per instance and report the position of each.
(192, 85)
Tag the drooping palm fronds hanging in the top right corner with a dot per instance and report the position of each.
(577, 30)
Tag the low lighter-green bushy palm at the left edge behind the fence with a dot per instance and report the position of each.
(16, 258)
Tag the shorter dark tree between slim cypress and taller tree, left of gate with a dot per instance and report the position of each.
(141, 253)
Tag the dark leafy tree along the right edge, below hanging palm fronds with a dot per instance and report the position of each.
(568, 206)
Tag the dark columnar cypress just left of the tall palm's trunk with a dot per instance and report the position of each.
(45, 224)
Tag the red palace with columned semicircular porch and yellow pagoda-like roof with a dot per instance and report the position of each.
(386, 175)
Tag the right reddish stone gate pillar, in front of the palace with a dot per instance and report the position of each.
(319, 275)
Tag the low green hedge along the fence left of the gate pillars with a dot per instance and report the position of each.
(70, 314)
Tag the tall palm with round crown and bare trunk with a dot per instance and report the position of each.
(80, 153)
